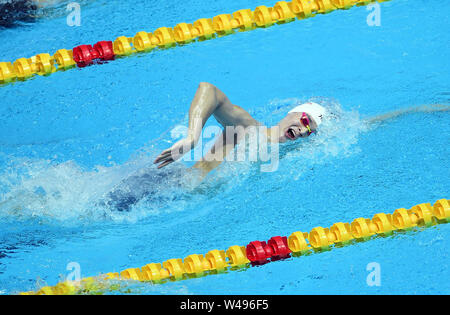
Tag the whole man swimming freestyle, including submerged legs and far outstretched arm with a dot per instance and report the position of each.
(152, 185)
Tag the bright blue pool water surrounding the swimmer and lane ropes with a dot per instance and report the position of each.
(67, 139)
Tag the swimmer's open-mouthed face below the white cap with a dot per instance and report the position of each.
(291, 128)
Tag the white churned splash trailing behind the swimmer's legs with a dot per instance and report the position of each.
(62, 192)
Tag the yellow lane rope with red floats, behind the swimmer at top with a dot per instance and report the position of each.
(166, 37)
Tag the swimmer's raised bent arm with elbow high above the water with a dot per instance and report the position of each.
(208, 101)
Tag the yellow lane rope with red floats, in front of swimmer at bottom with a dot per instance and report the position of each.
(258, 253)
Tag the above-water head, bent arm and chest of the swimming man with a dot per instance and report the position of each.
(300, 122)
